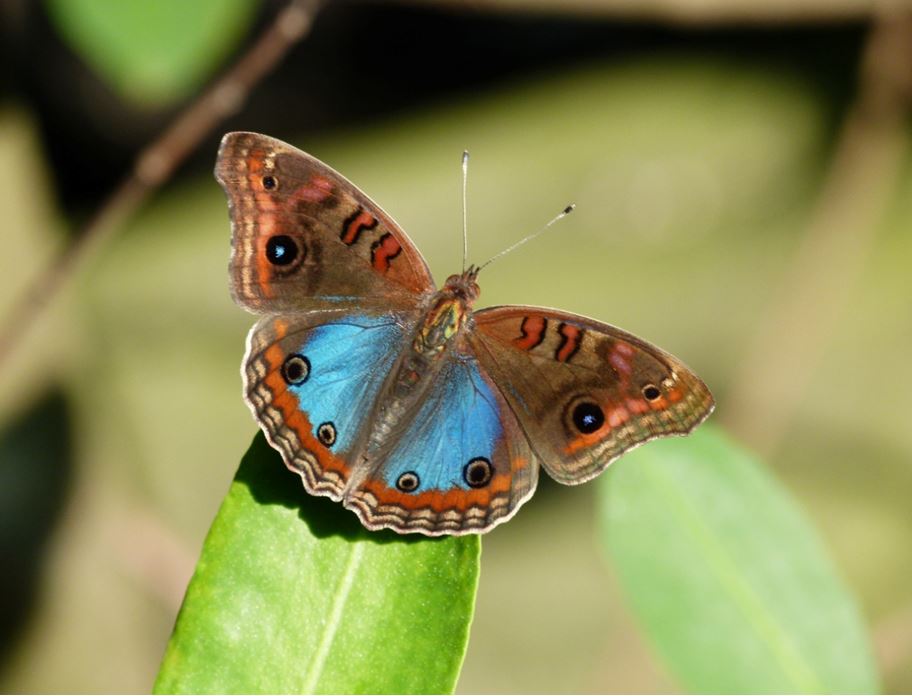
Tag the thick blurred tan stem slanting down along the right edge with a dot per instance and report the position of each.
(777, 368)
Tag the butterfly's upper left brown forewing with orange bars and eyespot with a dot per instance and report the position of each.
(301, 232)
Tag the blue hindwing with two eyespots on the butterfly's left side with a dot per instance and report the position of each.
(312, 380)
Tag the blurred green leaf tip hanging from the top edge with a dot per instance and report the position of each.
(152, 52)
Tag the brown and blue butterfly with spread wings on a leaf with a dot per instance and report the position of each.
(398, 399)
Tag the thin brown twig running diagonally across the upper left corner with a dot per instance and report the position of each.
(157, 162)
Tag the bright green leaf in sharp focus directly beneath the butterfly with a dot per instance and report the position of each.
(292, 595)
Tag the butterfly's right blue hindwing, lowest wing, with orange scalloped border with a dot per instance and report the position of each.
(459, 464)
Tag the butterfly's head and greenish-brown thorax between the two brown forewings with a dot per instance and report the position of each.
(449, 311)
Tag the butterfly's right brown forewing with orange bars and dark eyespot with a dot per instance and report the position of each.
(585, 392)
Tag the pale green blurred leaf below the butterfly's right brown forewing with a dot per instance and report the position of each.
(727, 576)
